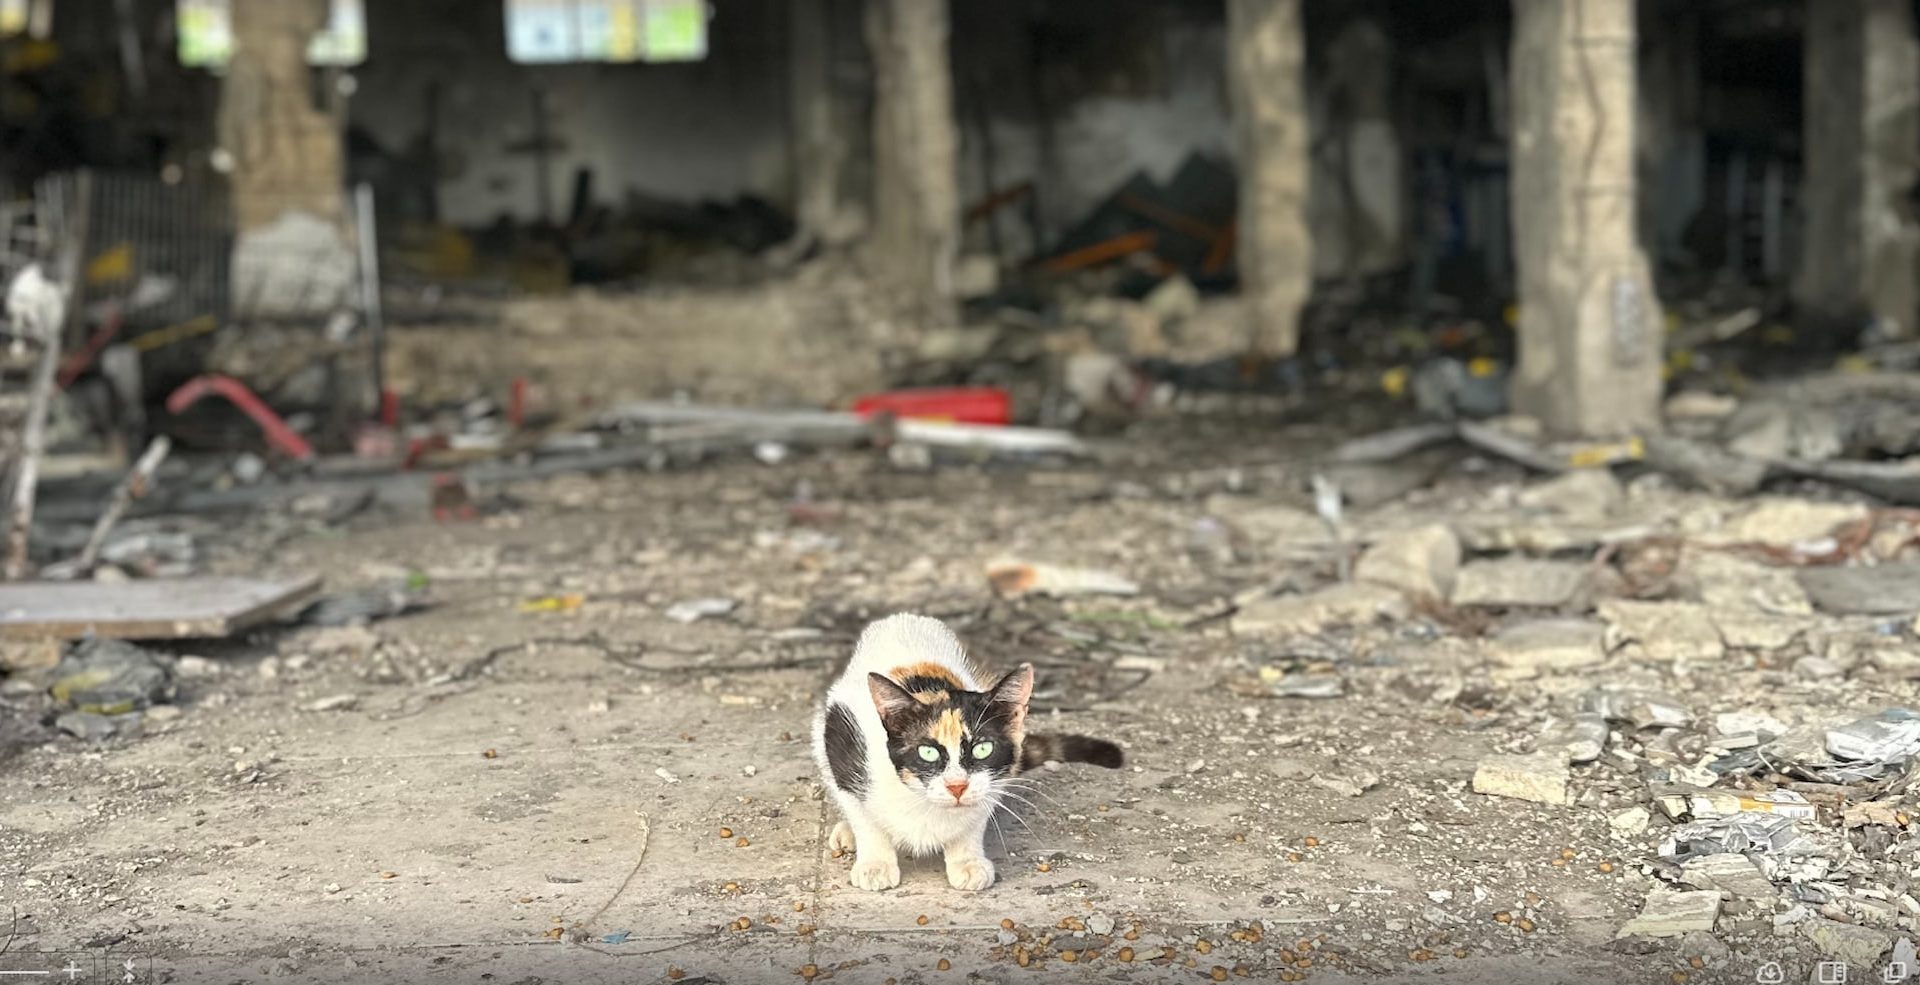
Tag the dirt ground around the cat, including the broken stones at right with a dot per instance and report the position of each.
(1349, 752)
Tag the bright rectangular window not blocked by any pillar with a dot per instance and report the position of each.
(552, 32)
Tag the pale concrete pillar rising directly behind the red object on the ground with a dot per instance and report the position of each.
(917, 183)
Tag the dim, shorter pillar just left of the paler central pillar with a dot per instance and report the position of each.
(823, 126)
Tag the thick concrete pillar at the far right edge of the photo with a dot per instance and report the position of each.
(1860, 247)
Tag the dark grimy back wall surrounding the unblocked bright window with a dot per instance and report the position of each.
(681, 132)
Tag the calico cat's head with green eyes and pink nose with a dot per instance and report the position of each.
(955, 746)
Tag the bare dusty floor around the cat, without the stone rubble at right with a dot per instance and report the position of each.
(552, 813)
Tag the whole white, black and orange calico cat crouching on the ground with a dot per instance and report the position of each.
(919, 754)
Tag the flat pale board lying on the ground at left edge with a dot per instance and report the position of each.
(147, 610)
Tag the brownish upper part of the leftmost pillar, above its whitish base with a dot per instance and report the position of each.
(287, 153)
